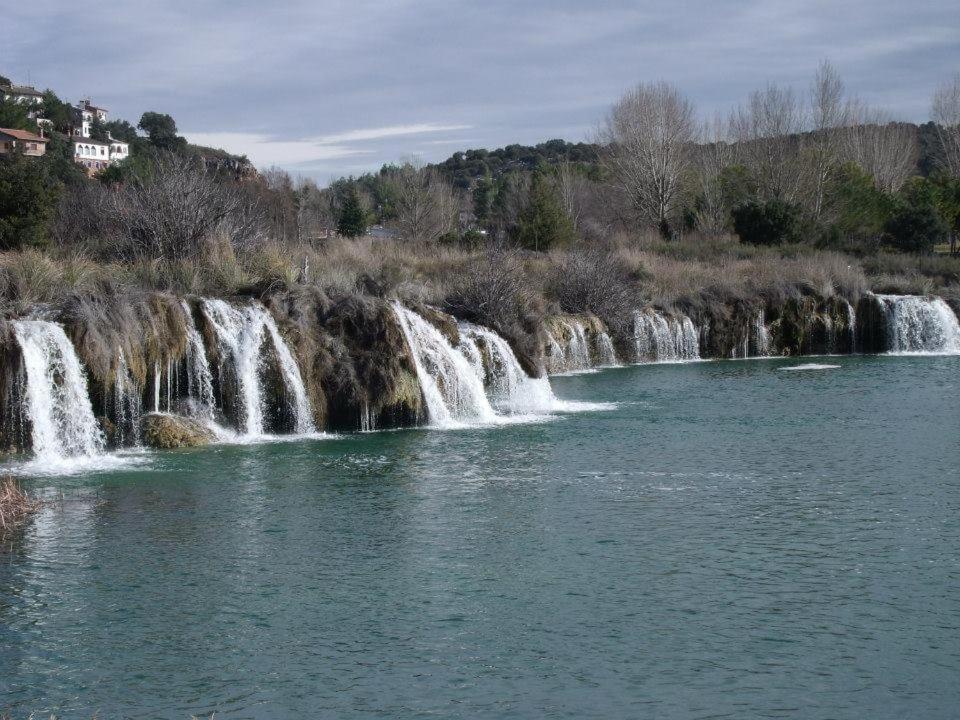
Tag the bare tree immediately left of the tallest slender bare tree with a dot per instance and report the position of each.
(767, 131)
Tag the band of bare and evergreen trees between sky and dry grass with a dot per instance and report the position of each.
(817, 167)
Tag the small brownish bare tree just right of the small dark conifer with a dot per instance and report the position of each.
(426, 205)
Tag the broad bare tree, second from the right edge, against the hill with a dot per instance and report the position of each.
(885, 149)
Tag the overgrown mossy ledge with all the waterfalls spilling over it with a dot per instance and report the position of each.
(83, 376)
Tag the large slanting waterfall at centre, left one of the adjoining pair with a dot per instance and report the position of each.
(451, 387)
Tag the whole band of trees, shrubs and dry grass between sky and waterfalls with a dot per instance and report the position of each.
(789, 196)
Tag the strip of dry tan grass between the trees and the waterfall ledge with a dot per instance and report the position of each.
(692, 272)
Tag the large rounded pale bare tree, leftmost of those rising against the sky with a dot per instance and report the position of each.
(649, 132)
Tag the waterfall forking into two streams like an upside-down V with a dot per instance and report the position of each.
(242, 334)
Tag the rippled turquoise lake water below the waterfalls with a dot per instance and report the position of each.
(732, 540)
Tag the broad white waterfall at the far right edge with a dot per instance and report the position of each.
(917, 324)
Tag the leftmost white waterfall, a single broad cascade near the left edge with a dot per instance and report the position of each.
(58, 406)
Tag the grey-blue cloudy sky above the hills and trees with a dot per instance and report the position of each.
(325, 88)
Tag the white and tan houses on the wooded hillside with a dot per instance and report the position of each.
(93, 154)
